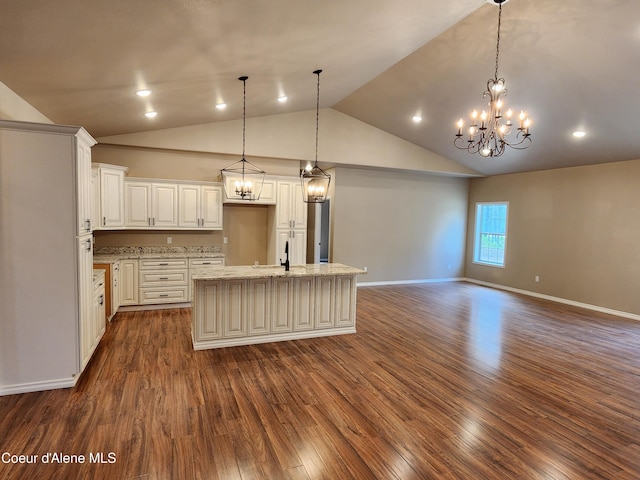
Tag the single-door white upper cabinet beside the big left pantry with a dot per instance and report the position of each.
(110, 195)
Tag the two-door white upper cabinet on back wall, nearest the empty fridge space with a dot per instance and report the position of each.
(200, 206)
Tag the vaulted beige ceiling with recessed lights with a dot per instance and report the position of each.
(570, 64)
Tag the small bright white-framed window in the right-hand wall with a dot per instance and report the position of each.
(491, 233)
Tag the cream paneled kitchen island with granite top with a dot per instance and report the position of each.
(246, 305)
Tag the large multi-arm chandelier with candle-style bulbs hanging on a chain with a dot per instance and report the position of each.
(489, 132)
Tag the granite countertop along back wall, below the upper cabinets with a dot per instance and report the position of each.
(113, 254)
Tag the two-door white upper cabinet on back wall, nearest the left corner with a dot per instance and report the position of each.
(150, 204)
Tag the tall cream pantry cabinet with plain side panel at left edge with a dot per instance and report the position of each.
(46, 263)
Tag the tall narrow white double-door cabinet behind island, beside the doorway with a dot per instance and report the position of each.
(291, 222)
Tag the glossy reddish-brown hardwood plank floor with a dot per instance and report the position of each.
(442, 381)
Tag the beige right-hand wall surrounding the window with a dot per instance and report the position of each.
(577, 228)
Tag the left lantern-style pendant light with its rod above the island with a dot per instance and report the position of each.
(242, 180)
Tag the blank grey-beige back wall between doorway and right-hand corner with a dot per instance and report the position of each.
(401, 226)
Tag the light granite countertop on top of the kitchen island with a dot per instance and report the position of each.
(267, 271)
